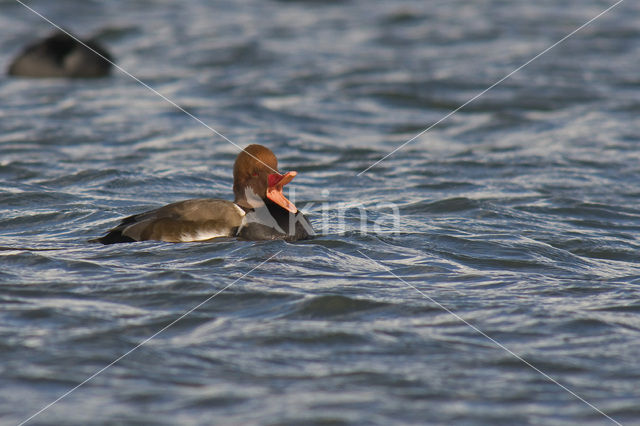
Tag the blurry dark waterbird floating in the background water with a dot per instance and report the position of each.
(62, 55)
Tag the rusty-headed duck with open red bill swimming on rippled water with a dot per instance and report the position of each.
(260, 211)
